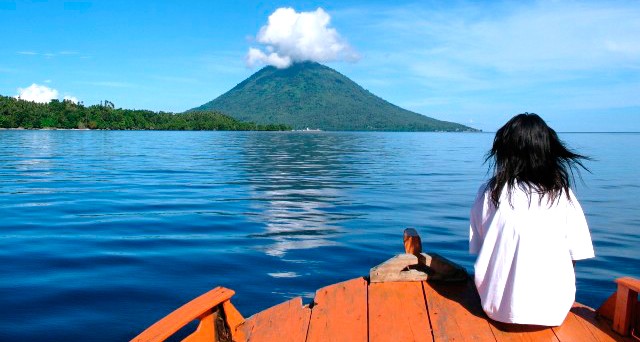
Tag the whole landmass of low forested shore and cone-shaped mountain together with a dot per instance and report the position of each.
(306, 95)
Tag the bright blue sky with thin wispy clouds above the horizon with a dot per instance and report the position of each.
(577, 64)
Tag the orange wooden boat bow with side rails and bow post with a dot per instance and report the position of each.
(399, 302)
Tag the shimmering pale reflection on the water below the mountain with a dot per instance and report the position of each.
(295, 189)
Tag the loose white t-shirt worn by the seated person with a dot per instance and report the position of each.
(524, 272)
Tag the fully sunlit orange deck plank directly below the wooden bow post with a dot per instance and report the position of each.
(398, 312)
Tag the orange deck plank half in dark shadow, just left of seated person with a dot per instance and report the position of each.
(455, 312)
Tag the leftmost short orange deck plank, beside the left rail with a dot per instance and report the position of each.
(287, 321)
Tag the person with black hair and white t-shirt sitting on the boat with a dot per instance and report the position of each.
(527, 226)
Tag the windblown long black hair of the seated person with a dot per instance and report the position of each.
(527, 152)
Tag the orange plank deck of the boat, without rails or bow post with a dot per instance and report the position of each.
(408, 311)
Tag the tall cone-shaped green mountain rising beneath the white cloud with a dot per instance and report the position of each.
(312, 95)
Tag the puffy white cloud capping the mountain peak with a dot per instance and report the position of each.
(291, 36)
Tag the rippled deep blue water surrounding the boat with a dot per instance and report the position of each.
(102, 233)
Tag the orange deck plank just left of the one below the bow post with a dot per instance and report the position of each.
(340, 313)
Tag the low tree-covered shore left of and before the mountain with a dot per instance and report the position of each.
(16, 113)
